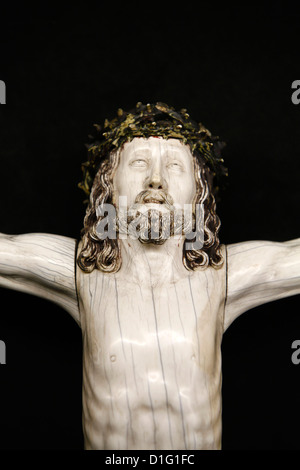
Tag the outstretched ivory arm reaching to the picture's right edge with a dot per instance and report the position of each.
(259, 272)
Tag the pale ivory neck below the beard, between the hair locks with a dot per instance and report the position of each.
(153, 264)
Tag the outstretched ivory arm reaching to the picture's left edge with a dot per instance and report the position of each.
(41, 264)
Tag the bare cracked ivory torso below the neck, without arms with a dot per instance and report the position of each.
(152, 361)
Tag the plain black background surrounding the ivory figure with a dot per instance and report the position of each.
(232, 67)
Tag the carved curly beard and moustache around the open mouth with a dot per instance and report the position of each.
(152, 219)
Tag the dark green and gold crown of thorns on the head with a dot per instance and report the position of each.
(149, 120)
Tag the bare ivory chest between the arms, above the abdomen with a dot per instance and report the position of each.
(126, 322)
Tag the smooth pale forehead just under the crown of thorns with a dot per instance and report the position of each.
(156, 146)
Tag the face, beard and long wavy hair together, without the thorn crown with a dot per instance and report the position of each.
(160, 174)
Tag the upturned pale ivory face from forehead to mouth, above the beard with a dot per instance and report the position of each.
(158, 168)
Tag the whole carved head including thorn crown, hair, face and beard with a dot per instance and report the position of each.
(163, 164)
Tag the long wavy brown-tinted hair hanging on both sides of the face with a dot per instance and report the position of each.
(105, 255)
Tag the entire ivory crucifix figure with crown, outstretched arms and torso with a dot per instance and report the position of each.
(149, 283)
